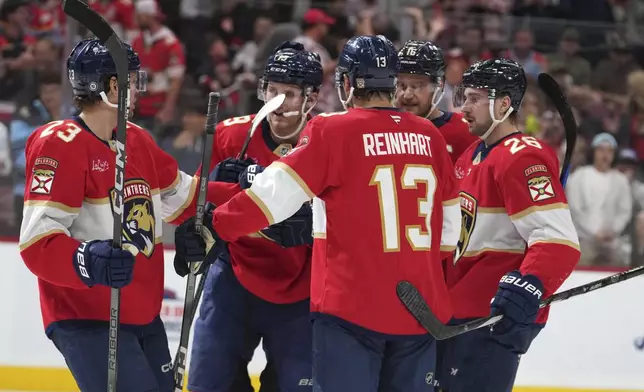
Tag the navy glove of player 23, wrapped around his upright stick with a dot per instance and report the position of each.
(98, 262)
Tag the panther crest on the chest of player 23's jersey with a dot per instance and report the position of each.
(138, 215)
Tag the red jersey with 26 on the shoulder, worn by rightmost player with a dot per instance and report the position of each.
(514, 216)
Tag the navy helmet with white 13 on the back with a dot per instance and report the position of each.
(370, 63)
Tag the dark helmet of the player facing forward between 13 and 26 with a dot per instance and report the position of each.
(422, 58)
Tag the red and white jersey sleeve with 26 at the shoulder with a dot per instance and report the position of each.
(536, 204)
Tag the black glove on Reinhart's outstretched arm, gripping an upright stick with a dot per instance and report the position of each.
(196, 252)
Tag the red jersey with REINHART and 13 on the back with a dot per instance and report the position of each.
(386, 205)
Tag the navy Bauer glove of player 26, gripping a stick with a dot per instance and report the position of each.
(517, 299)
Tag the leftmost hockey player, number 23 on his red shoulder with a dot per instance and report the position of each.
(65, 238)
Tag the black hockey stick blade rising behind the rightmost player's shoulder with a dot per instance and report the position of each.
(556, 95)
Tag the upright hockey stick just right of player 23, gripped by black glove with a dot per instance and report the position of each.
(191, 301)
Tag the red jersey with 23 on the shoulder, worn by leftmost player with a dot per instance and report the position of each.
(70, 179)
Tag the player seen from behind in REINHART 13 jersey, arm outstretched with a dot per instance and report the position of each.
(384, 206)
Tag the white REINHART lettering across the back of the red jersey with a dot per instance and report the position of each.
(396, 143)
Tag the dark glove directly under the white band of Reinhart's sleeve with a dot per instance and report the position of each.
(294, 231)
